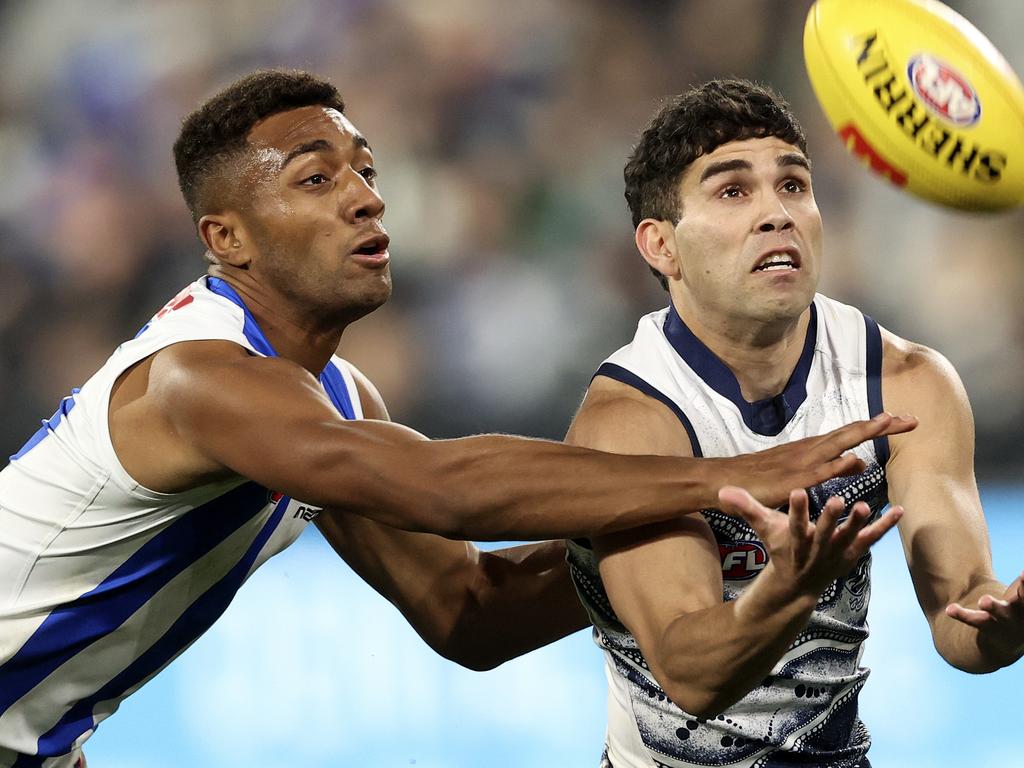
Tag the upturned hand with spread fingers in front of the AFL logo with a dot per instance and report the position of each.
(810, 556)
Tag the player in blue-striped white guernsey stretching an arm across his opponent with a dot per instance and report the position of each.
(205, 444)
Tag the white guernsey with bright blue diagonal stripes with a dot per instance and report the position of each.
(104, 582)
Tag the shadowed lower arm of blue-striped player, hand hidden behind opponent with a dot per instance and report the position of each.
(477, 609)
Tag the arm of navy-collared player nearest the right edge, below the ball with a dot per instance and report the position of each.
(977, 622)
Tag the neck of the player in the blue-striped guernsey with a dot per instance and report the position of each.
(295, 335)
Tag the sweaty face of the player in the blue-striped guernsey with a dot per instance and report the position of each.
(316, 212)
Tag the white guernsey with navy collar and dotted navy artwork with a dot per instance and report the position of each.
(805, 712)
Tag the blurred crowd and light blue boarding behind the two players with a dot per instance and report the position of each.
(500, 131)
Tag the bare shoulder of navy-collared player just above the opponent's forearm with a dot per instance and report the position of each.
(619, 418)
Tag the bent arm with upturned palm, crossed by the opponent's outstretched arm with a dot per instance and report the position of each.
(665, 581)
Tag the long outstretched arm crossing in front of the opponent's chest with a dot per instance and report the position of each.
(219, 412)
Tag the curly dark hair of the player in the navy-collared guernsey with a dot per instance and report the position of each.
(693, 124)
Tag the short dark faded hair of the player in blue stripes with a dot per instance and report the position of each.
(216, 134)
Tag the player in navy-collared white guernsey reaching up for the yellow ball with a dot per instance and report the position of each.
(734, 637)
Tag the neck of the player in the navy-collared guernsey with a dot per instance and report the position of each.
(762, 357)
